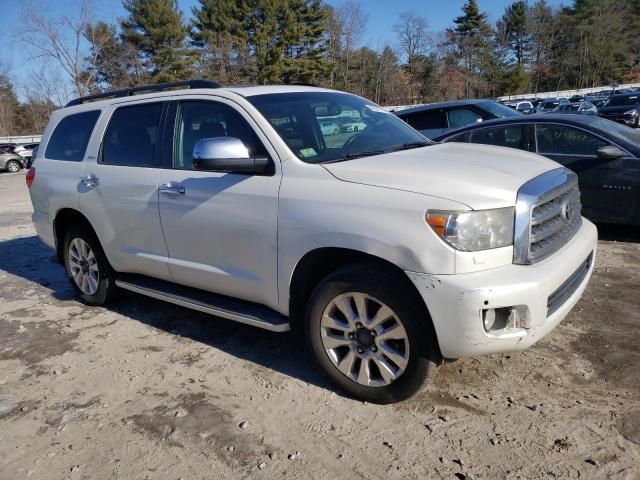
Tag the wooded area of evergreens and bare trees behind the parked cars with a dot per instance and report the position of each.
(532, 47)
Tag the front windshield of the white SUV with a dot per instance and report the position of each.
(324, 127)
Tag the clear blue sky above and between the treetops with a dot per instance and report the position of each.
(382, 15)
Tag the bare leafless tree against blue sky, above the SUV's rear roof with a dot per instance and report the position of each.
(60, 40)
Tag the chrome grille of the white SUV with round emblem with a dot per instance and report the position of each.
(548, 214)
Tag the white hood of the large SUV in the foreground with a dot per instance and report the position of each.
(479, 176)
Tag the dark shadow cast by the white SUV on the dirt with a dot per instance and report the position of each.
(29, 259)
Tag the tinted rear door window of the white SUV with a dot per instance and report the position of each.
(132, 136)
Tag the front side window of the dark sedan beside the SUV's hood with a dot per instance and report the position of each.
(561, 140)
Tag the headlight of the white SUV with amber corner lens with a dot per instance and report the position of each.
(474, 230)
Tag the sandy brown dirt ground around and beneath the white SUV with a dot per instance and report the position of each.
(144, 389)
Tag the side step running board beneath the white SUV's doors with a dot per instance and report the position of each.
(206, 302)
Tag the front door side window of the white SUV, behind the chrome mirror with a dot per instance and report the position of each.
(197, 120)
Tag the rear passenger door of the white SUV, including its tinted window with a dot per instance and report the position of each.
(119, 193)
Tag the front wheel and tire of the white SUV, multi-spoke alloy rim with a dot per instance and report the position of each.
(361, 352)
